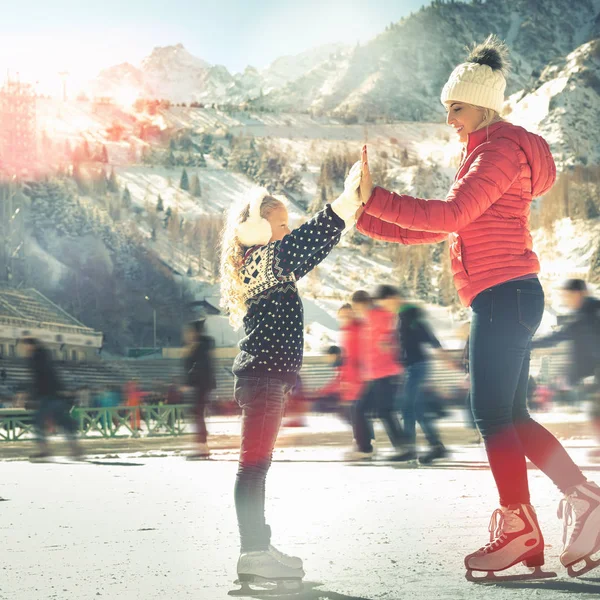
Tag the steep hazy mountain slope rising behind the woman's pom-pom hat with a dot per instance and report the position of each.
(400, 73)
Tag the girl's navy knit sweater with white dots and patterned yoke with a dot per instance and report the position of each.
(274, 321)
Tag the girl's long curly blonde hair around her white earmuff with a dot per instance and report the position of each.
(232, 258)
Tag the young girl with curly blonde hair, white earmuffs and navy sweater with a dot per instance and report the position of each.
(261, 260)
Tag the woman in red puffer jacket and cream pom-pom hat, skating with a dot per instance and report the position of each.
(486, 218)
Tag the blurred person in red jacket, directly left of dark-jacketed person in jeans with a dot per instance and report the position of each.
(381, 371)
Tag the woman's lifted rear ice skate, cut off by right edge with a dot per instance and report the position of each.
(581, 508)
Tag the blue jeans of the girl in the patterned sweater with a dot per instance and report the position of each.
(262, 400)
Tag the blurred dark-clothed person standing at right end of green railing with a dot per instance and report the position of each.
(199, 376)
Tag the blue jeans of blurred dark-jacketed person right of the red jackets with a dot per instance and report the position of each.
(414, 408)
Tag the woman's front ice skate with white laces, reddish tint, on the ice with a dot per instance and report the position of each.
(515, 537)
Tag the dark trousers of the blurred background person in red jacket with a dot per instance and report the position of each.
(378, 398)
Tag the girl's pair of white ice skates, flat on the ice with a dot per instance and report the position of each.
(268, 573)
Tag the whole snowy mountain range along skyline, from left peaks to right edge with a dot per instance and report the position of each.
(398, 74)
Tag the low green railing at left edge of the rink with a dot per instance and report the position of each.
(113, 422)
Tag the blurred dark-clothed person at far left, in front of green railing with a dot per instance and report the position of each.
(46, 391)
